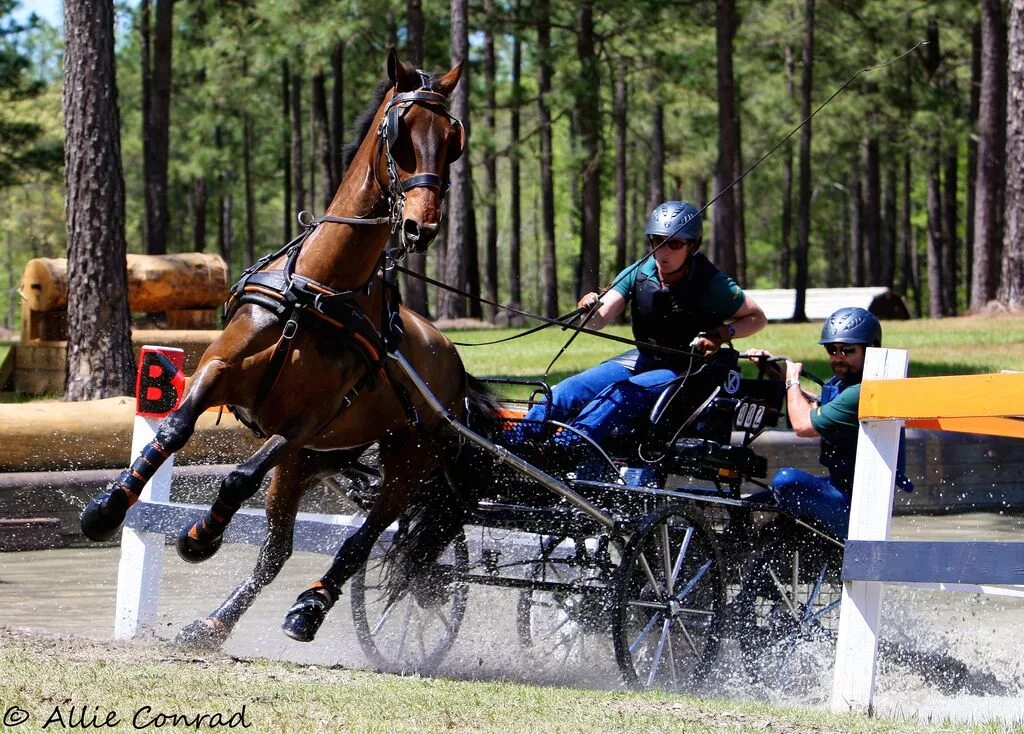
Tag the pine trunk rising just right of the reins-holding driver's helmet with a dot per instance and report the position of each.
(724, 212)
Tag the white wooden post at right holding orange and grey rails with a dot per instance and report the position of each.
(871, 512)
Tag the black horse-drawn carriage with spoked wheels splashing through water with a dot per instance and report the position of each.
(657, 547)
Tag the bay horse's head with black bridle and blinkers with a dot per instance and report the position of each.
(419, 141)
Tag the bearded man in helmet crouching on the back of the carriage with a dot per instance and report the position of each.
(833, 417)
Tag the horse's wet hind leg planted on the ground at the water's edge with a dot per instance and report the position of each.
(292, 479)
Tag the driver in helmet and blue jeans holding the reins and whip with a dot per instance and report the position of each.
(679, 300)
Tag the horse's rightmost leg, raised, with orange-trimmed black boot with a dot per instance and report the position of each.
(403, 474)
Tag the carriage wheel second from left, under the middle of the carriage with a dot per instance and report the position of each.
(571, 624)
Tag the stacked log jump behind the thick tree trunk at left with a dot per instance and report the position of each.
(189, 289)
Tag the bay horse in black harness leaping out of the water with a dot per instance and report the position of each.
(303, 360)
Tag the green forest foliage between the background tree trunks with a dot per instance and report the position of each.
(229, 59)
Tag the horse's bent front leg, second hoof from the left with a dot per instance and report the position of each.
(204, 539)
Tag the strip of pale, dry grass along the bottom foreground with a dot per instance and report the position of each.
(38, 675)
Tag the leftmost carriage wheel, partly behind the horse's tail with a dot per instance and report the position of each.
(411, 630)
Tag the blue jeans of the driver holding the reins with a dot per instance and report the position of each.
(608, 400)
